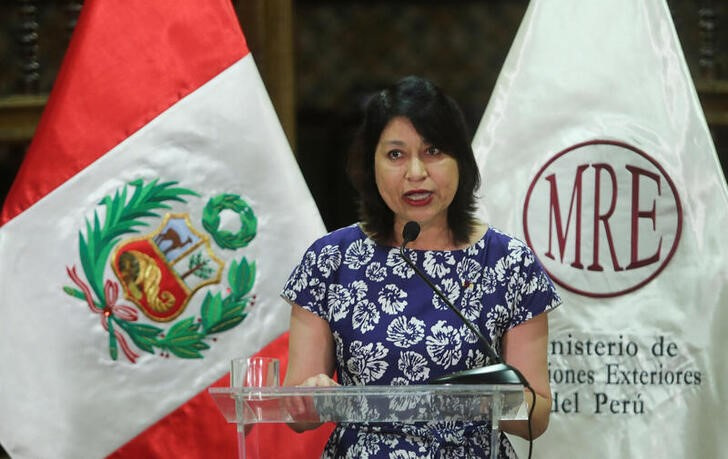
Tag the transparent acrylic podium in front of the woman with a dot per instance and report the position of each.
(416, 403)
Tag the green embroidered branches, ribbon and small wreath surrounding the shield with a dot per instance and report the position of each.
(187, 337)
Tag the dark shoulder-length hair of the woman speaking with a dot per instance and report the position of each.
(439, 120)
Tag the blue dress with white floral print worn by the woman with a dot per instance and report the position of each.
(389, 328)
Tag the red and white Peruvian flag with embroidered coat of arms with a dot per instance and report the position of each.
(145, 240)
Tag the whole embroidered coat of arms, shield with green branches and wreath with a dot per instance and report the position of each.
(161, 270)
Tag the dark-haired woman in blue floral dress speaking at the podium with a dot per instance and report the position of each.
(358, 310)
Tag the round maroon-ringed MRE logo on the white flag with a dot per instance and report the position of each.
(604, 218)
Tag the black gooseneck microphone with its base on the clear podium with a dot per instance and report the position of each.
(496, 373)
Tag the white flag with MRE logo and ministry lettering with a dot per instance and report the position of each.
(595, 150)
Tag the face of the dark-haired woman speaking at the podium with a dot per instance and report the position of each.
(416, 180)
